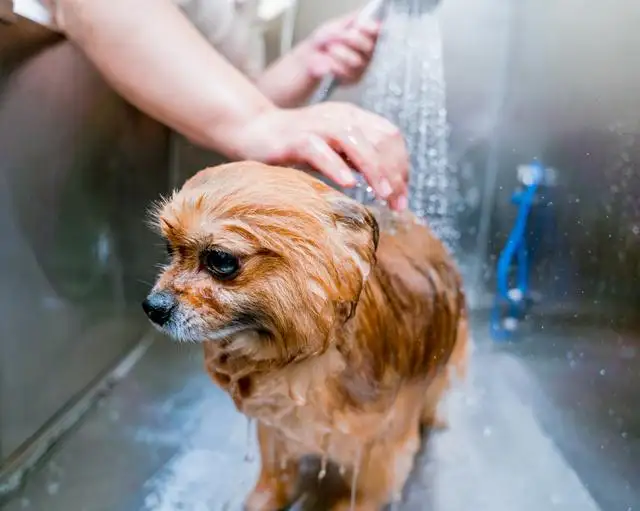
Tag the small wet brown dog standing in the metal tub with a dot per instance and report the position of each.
(335, 337)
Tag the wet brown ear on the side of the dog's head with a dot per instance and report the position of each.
(358, 235)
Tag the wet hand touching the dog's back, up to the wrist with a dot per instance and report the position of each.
(333, 138)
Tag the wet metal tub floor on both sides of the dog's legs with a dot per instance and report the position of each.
(166, 439)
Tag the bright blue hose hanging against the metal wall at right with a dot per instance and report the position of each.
(510, 303)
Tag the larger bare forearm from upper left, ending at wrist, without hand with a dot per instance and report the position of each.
(153, 56)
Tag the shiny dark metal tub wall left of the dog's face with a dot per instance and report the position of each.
(78, 168)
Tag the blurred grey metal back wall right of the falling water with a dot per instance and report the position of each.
(556, 81)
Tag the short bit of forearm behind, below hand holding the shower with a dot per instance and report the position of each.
(287, 82)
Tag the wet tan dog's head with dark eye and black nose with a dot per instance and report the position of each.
(265, 260)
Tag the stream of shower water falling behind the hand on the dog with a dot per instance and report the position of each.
(406, 85)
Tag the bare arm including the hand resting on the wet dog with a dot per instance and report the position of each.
(153, 57)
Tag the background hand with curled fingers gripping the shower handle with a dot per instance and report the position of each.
(342, 47)
